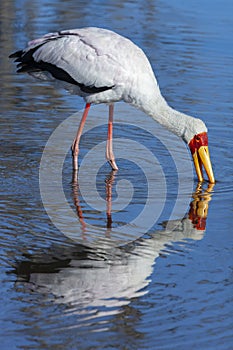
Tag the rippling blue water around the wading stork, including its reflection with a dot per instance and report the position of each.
(139, 259)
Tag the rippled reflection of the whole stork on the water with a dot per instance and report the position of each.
(96, 278)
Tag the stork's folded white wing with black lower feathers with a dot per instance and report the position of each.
(90, 57)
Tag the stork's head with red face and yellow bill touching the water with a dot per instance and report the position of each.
(198, 144)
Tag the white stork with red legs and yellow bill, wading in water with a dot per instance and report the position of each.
(104, 67)
